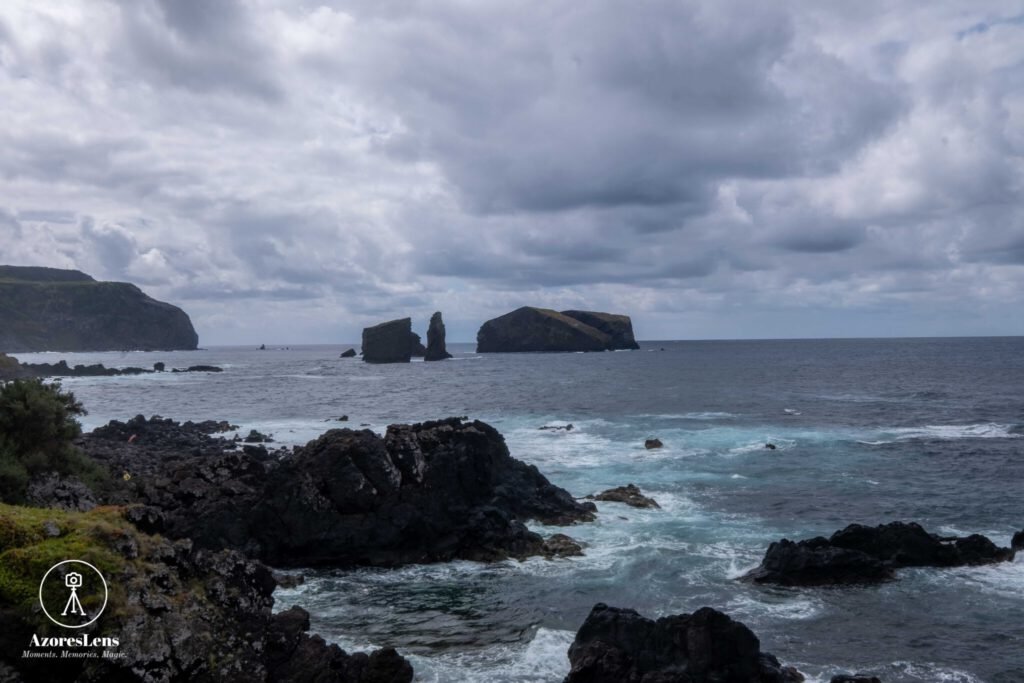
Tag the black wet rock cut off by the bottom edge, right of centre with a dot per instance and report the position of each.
(621, 647)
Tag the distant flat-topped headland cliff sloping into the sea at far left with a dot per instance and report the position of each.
(48, 310)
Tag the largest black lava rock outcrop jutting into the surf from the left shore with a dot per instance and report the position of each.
(424, 493)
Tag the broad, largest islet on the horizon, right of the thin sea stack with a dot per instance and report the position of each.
(531, 329)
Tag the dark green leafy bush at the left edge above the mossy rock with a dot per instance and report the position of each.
(37, 426)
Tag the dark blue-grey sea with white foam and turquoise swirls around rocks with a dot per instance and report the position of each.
(868, 432)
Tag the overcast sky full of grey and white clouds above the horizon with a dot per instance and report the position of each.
(289, 173)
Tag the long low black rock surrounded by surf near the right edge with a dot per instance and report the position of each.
(862, 554)
